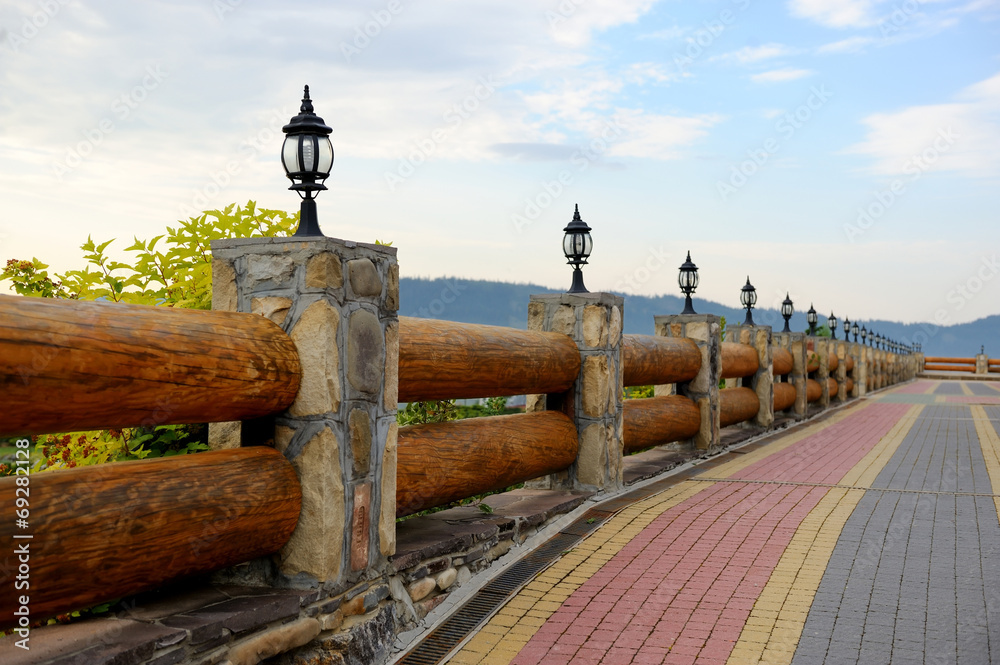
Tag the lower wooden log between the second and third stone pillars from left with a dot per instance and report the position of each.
(655, 421)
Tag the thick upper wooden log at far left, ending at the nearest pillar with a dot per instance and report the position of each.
(68, 365)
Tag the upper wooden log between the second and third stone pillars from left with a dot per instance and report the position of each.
(653, 360)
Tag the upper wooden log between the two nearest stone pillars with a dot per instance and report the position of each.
(445, 360)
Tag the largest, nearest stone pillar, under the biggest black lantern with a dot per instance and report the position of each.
(338, 301)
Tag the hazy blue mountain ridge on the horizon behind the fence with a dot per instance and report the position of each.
(506, 304)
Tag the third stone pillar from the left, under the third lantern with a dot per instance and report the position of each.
(703, 390)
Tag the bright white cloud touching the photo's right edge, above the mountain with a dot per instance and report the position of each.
(958, 136)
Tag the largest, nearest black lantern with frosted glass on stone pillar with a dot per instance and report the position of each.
(307, 156)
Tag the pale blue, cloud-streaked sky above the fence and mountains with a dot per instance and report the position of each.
(843, 150)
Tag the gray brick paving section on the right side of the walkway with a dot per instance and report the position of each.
(915, 578)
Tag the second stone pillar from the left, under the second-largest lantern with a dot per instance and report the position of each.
(594, 321)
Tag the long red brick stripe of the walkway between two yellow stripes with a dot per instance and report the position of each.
(682, 589)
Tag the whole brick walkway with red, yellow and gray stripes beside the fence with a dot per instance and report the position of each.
(871, 537)
